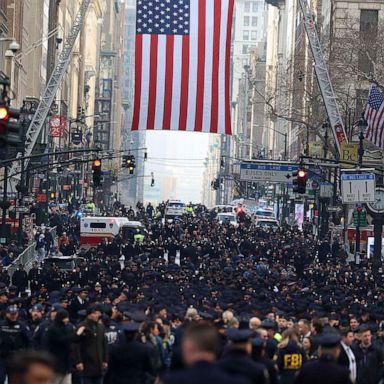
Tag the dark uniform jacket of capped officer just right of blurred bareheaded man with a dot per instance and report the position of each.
(237, 362)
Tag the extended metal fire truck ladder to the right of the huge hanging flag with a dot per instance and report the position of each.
(322, 75)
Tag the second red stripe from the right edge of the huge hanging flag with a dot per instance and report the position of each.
(215, 66)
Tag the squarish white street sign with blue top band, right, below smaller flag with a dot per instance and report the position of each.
(358, 188)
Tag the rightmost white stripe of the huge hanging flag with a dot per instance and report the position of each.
(222, 61)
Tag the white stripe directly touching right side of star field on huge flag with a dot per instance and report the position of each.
(193, 57)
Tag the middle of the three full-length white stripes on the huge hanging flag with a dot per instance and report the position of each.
(209, 34)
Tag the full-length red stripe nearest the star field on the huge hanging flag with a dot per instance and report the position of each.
(200, 67)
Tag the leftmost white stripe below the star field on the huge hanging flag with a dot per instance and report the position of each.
(144, 97)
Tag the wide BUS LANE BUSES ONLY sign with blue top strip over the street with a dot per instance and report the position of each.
(267, 172)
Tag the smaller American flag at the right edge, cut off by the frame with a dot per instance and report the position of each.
(374, 115)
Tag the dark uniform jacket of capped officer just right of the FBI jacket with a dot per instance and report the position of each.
(324, 370)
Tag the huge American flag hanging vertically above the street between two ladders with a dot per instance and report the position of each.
(182, 65)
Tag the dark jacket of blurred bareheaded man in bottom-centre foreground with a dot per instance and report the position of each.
(202, 373)
